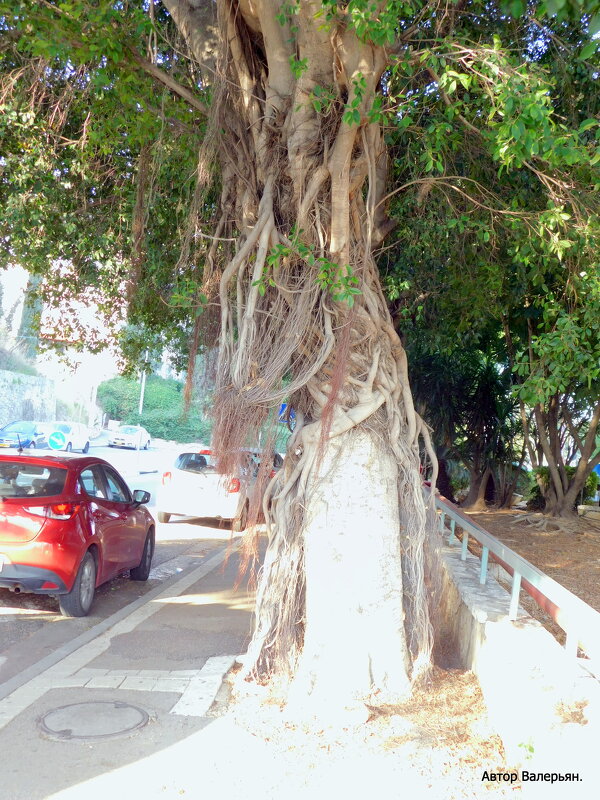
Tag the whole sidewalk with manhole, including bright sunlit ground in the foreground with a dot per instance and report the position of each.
(123, 711)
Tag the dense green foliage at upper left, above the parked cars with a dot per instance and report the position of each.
(79, 120)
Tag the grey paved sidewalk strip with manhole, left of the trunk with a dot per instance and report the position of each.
(132, 688)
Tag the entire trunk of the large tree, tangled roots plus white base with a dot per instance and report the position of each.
(302, 191)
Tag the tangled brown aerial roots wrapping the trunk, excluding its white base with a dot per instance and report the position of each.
(303, 191)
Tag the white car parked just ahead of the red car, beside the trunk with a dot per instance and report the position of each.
(193, 488)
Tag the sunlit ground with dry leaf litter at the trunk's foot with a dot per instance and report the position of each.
(437, 744)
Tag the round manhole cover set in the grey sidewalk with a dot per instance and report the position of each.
(92, 721)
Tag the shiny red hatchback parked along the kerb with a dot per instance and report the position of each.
(68, 524)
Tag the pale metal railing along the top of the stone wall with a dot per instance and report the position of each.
(579, 621)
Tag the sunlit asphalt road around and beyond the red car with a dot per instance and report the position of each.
(31, 625)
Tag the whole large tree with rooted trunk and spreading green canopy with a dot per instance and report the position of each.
(291, 185)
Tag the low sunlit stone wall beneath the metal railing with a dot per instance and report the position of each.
(544, 706)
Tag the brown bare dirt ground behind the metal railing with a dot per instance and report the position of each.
(568, 552)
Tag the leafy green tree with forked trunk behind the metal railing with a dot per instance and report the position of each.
(493, 249)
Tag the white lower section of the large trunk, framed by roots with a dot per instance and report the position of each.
(354, 645)
